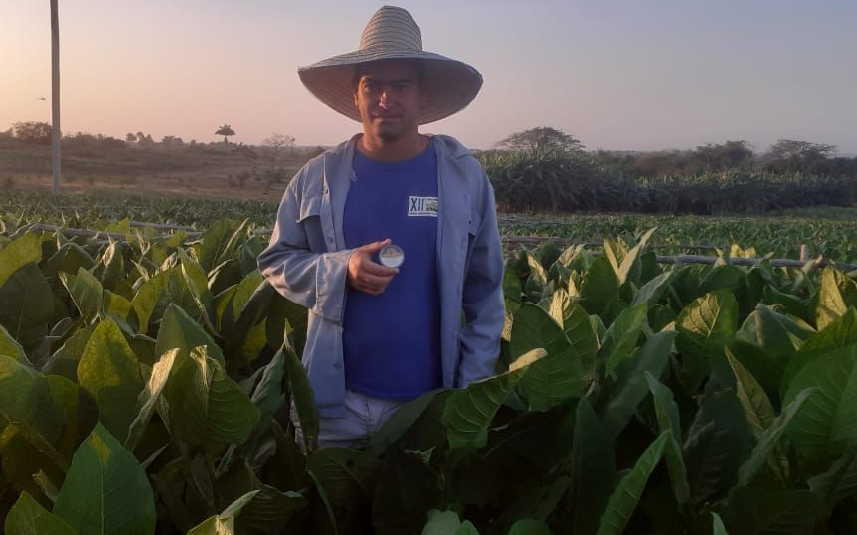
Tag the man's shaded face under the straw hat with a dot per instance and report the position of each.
(389, 98)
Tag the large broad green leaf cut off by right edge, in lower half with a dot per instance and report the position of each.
(827, 425)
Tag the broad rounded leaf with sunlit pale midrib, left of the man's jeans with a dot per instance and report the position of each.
(202, 406)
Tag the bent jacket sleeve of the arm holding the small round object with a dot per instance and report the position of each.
(314, 279)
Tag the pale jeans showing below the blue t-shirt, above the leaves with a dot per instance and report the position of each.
(365, 416)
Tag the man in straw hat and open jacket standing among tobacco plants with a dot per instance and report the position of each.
(379, 336)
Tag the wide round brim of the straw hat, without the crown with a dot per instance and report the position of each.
(450, 84)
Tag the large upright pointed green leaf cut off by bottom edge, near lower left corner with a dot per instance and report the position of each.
(106, 491)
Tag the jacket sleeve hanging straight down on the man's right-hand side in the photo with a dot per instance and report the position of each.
(482, 298)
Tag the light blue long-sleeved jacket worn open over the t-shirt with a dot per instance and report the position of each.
(306, 262)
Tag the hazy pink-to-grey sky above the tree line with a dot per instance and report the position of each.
(619, 75)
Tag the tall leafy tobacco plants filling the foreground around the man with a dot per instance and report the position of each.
(145, 381)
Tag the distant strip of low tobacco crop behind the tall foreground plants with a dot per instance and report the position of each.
(826, 231)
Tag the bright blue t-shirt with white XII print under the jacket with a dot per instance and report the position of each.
(391, 342)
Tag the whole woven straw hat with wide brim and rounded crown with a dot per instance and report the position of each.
(392, 34)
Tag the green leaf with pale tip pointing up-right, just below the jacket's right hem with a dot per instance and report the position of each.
(467, 412)
